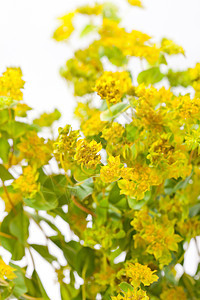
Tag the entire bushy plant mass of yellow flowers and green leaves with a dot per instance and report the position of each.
(129, 178)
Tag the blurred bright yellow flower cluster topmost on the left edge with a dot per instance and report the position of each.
(11, 83)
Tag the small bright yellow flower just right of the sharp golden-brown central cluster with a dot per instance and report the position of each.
(112, 171)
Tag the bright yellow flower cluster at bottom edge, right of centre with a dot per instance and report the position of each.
(138, 274)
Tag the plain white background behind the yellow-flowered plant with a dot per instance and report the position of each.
(26, 27)
